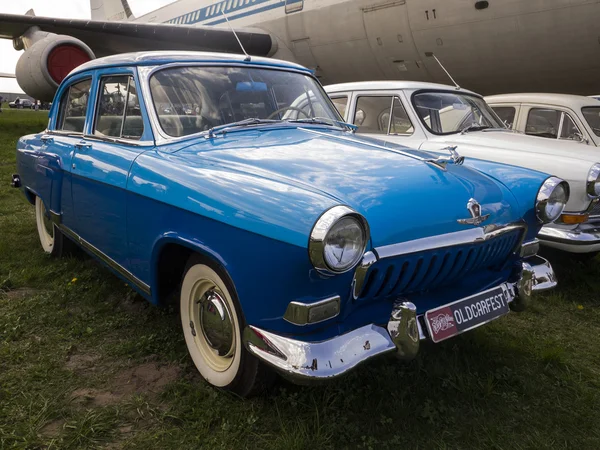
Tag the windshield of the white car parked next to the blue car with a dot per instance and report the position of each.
(449, 112)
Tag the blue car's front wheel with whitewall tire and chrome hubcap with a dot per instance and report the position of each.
(212, 322)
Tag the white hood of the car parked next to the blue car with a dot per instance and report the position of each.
(570, 161)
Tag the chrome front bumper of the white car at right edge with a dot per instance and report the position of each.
(584, 238)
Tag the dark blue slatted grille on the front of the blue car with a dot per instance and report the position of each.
(422, 271)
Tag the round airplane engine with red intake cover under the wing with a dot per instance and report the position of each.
(47, 61)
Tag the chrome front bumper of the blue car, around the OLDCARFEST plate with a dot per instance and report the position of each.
(304, 362)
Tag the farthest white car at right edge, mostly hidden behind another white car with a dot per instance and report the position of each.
(554, 116)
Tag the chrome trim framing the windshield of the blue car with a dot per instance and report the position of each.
(146, 72)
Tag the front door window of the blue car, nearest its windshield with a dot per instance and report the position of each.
(118, 111)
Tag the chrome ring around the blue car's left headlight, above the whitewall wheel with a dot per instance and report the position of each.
(318, 238)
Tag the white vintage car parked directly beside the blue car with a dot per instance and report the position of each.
(433, 117)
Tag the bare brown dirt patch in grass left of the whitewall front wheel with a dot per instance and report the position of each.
(149, 378)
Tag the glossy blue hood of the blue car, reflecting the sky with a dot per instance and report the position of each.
(402, 197)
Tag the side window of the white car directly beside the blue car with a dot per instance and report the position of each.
(372, 116)
